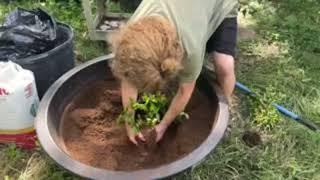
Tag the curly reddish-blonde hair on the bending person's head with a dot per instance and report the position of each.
(148, 53)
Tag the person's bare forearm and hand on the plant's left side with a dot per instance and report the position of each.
(129, 92)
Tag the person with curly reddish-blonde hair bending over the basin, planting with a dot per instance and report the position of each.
(168, 39)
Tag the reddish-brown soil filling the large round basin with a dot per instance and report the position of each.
(92, 136)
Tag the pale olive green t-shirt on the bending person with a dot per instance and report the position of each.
(195, 21)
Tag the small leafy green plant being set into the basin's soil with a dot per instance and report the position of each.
(147, 112)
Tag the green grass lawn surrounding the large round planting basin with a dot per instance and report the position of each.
(278, 57)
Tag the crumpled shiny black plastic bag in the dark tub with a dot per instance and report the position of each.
(26, 33)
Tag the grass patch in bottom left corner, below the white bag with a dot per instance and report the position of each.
(25, 165)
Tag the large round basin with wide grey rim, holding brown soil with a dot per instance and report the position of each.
(65, 88)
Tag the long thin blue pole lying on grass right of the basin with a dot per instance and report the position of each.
(281, 109)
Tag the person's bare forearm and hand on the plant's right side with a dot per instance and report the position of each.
(177, 105)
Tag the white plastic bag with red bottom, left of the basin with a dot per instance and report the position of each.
(18, 105)
